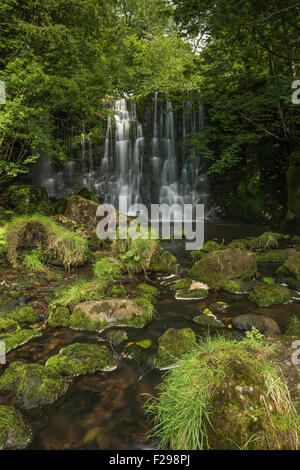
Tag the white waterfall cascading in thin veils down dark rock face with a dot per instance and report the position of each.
(147, 167)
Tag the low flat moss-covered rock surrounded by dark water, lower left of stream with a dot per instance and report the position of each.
(81, 359)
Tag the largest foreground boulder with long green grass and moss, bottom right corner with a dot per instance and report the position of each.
(225, 395)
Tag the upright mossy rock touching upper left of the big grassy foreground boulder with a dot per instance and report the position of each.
(174, 344)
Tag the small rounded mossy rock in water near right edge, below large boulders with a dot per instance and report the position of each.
(266, 294)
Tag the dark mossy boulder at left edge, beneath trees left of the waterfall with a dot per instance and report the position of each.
(25, 199)
